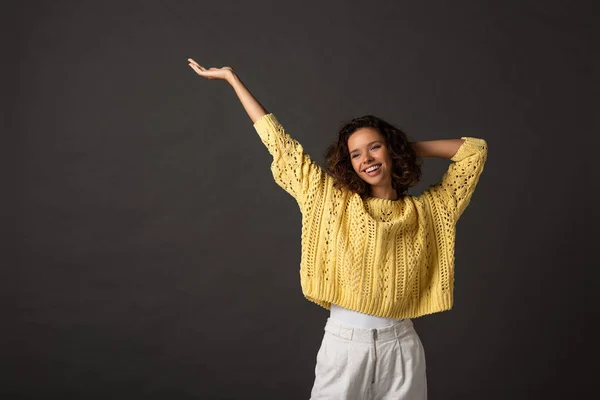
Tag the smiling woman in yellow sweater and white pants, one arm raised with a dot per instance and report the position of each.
(371, 254)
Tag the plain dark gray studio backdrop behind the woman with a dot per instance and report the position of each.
(153, 255)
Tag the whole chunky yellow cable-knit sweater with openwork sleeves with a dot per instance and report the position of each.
(388, 258)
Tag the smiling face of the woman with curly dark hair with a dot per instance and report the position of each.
(368, 148)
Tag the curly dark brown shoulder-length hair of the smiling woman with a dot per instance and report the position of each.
(406, 170)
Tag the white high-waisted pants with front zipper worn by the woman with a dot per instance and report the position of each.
(371, 364)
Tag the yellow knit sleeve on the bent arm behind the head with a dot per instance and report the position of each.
(458, 183)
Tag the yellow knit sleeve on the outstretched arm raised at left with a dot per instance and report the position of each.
(292, 168)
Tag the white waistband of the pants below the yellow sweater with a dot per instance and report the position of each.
(397, 330)
